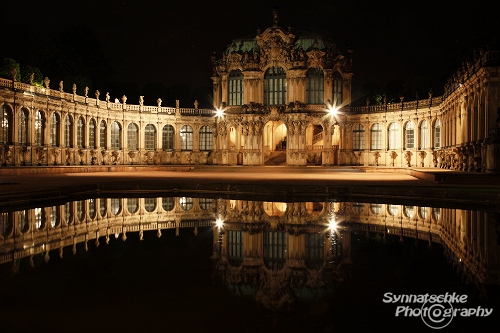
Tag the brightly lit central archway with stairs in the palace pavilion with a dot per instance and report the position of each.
(275, 142)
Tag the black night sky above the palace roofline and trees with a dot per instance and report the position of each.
(171, 41)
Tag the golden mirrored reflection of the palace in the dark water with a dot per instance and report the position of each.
(274, 252)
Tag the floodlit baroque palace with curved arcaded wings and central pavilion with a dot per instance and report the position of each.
(280, 97)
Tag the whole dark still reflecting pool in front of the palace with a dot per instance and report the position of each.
(206, 263)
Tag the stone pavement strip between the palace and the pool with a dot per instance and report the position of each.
(35, 184)
